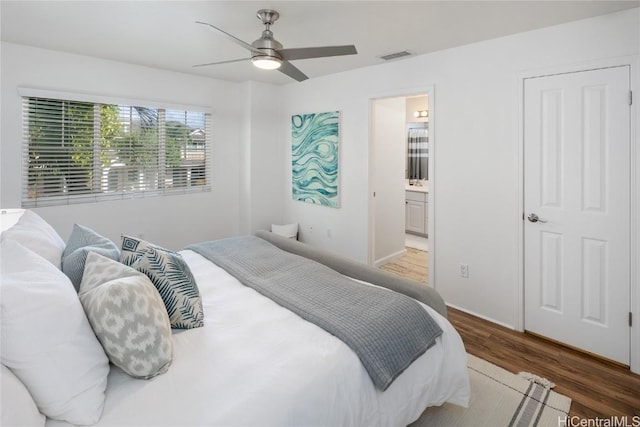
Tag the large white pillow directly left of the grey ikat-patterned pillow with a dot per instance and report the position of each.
(46, 338)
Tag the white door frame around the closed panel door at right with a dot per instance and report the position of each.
(634, 65)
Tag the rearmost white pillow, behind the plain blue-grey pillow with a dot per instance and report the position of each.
(34, 233)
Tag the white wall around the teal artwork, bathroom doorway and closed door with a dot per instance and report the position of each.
(476, 172)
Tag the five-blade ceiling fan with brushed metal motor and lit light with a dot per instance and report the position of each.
(267, 53)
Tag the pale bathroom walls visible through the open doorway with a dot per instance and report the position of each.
(391, 116)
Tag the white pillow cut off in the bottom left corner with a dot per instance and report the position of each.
(18, 407)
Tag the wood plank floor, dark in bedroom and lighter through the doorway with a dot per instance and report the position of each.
(598, 389)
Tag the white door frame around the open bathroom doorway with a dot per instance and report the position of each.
(430, 92)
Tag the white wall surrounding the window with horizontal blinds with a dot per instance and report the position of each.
(172, 221)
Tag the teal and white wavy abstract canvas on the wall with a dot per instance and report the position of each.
(314, 153)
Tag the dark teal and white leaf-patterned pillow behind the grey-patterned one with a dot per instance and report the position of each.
(171, 276)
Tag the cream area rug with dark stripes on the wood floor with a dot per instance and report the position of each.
(500, 398)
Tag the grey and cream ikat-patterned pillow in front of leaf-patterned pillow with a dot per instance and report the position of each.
(128, 317)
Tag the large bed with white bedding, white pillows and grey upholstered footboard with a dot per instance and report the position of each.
(250, 361)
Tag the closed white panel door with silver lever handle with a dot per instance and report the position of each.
(577, 209)
